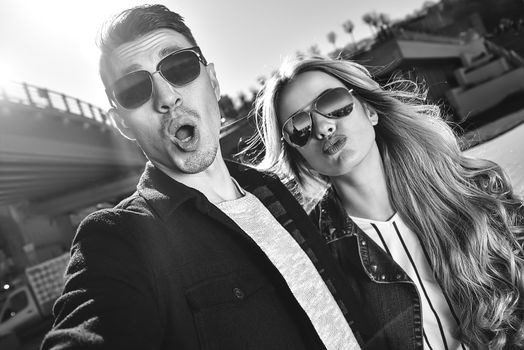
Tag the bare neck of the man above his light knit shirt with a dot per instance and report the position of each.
(215, 182)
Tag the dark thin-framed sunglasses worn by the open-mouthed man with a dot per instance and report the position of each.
(178, 68)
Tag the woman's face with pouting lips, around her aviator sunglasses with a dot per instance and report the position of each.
(336, 146)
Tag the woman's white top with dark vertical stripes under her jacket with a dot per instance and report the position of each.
(404, 247)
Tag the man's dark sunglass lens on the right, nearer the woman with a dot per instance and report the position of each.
(180, 68)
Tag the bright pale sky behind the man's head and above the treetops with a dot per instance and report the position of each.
(52, 43)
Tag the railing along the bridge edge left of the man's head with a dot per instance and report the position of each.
(35, 96)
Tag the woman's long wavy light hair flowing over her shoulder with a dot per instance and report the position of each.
(464, 210)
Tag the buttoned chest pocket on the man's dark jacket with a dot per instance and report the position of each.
(241, 311)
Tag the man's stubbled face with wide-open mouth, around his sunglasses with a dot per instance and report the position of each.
(178, 127)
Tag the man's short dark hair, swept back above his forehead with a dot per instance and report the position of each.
(134, 23)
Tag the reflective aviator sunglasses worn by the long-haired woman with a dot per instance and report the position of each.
(333, 103)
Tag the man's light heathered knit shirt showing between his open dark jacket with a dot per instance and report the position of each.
(294, 265)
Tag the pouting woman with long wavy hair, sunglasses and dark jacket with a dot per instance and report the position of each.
(430, 240)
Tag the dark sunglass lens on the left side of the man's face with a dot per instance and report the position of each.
(133, 90)
